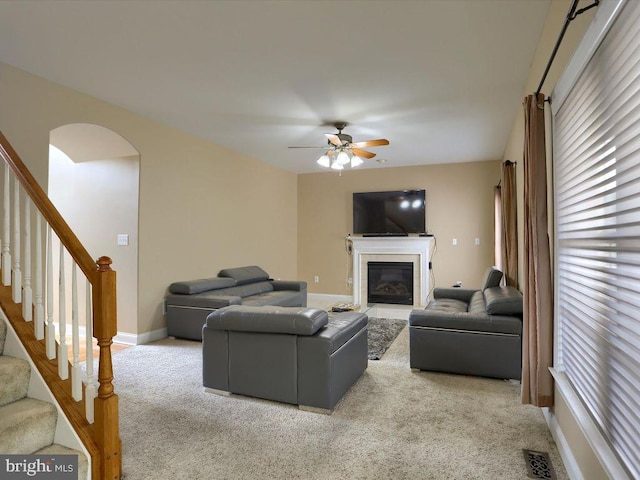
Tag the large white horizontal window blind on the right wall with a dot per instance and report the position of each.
(596, 158)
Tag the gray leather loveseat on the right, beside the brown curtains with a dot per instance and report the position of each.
(471, 332)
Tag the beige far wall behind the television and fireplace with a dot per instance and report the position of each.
(459, 205)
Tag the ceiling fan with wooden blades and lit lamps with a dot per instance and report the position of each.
(341, 150)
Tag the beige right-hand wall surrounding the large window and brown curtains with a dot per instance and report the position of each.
(584, 456)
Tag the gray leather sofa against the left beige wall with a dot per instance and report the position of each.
(188, 303)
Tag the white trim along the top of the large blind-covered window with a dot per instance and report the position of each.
(605, 14)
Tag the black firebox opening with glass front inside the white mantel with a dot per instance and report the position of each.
(390, 282)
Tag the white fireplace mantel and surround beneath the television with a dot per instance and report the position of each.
(391, 249)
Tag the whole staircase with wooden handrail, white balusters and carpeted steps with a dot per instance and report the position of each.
(46, 337)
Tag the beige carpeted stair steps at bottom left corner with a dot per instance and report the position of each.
(27, 425)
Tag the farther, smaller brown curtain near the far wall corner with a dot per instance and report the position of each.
(509, 224)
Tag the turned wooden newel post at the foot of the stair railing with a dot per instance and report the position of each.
(106, 403)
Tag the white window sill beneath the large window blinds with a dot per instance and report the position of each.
(598, 443)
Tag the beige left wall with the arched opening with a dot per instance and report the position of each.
(202, 207)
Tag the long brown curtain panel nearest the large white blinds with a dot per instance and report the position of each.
(537, 342)
